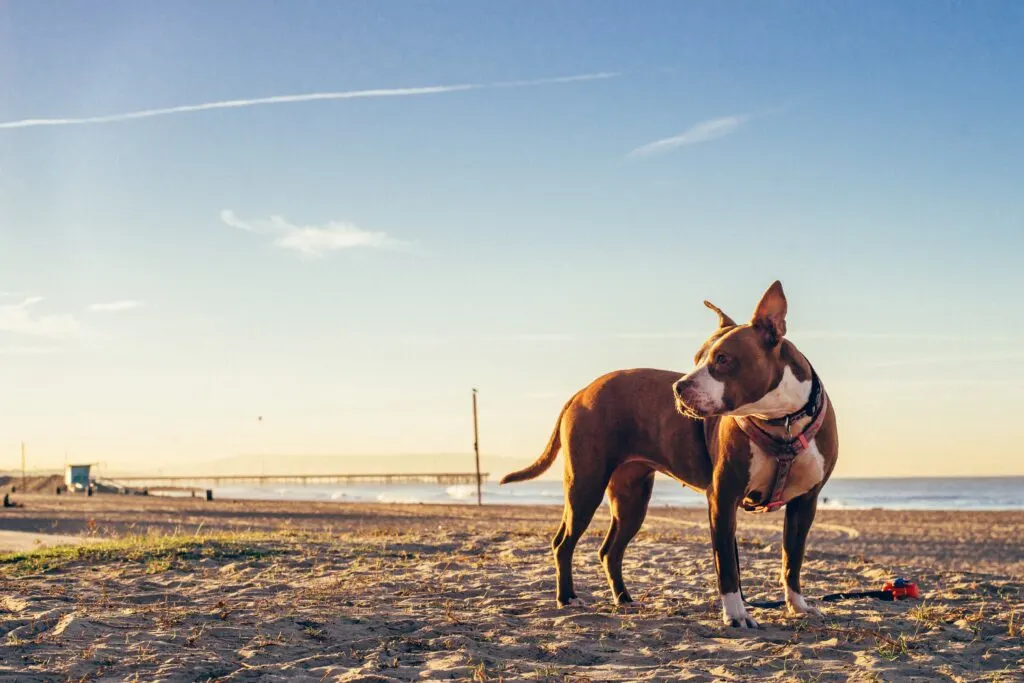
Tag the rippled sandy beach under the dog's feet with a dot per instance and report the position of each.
(304, 591)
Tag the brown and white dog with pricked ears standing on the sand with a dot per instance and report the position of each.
(751, 426)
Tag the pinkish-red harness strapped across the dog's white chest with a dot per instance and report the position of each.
(785, 451)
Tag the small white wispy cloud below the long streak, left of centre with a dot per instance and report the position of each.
(313, 241)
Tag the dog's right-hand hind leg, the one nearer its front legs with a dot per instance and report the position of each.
(629, 494)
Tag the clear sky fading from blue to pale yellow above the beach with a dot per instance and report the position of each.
(579, 180)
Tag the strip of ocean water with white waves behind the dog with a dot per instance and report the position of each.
(902, 494)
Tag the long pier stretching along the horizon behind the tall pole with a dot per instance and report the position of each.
(444, 479)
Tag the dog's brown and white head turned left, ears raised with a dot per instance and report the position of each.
(741, 370)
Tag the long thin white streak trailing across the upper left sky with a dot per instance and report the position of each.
(305, 98)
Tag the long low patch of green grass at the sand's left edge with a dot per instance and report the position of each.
(156, 553)
